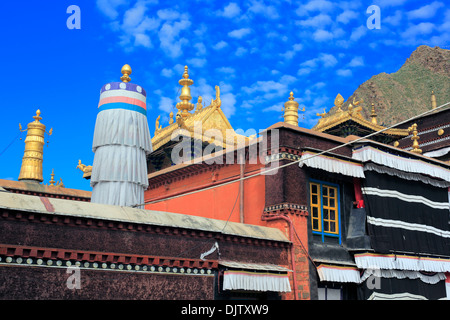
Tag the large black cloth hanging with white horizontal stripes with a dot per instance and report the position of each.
(405, 215)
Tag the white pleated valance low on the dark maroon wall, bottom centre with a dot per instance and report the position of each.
(255, 281)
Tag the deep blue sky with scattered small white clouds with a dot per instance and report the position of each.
(257, 51)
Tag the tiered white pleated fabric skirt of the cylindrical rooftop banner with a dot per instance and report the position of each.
(121, 144)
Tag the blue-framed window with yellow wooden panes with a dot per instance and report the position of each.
(324, 202)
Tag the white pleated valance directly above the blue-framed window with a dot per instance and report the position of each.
(331, 164)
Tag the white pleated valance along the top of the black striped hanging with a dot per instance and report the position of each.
(365, 154)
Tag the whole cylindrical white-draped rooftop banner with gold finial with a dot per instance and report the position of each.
(121, 144)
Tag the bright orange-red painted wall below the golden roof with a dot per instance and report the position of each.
(221, 202)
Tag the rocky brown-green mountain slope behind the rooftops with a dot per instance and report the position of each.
(407, 92)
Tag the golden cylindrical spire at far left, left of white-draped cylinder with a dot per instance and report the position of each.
(31, 170)
